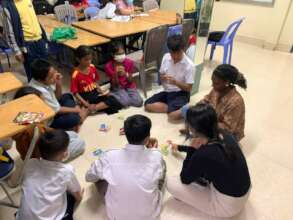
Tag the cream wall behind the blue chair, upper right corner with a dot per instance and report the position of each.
(262, 24)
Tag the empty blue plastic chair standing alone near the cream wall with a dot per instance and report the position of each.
(226, 41)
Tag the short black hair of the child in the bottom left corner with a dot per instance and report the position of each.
(52, 143)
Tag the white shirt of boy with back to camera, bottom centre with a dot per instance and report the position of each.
(133, 175)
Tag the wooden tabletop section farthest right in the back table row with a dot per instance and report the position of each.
(160, 17)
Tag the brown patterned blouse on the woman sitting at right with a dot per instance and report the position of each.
(230, 109)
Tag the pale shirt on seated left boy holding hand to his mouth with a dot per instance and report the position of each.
(48, 93)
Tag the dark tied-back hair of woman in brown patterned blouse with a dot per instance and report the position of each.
(231, 75)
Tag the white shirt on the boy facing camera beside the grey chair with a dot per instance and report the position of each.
(182, 71)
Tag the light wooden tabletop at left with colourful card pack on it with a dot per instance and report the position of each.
(8, 112)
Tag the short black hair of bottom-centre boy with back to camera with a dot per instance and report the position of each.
(137, 128)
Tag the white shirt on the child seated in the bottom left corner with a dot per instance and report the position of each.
(44, 190)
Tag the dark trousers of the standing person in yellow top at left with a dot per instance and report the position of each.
(35, 50)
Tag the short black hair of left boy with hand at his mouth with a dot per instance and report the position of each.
(40, 69)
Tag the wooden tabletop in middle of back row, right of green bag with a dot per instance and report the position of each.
(114, 29)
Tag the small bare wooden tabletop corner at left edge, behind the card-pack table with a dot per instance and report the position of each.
(9, 82)
